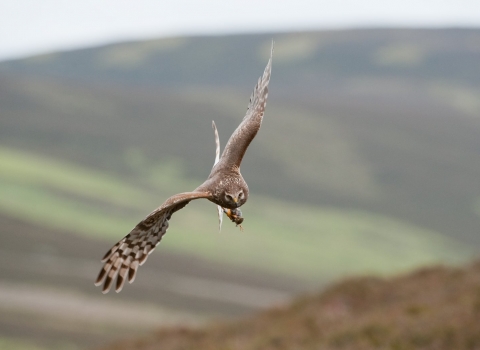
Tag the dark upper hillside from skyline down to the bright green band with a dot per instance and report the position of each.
(375, 120)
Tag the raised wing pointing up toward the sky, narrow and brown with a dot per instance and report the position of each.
(240, 140)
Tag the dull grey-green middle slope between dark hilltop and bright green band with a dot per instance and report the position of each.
(405, 151)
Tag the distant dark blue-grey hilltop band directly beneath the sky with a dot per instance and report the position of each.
(309, 59)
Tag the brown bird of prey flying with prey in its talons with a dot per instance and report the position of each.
(224, 186)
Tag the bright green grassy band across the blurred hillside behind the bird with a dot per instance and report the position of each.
(311, 243)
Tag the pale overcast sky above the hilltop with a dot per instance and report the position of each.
(29, 27)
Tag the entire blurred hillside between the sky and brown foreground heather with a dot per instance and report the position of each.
(367, 162)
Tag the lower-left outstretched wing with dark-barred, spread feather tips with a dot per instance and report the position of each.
(133, 250)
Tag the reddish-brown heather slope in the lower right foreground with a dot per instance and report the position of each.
(434, 308)
